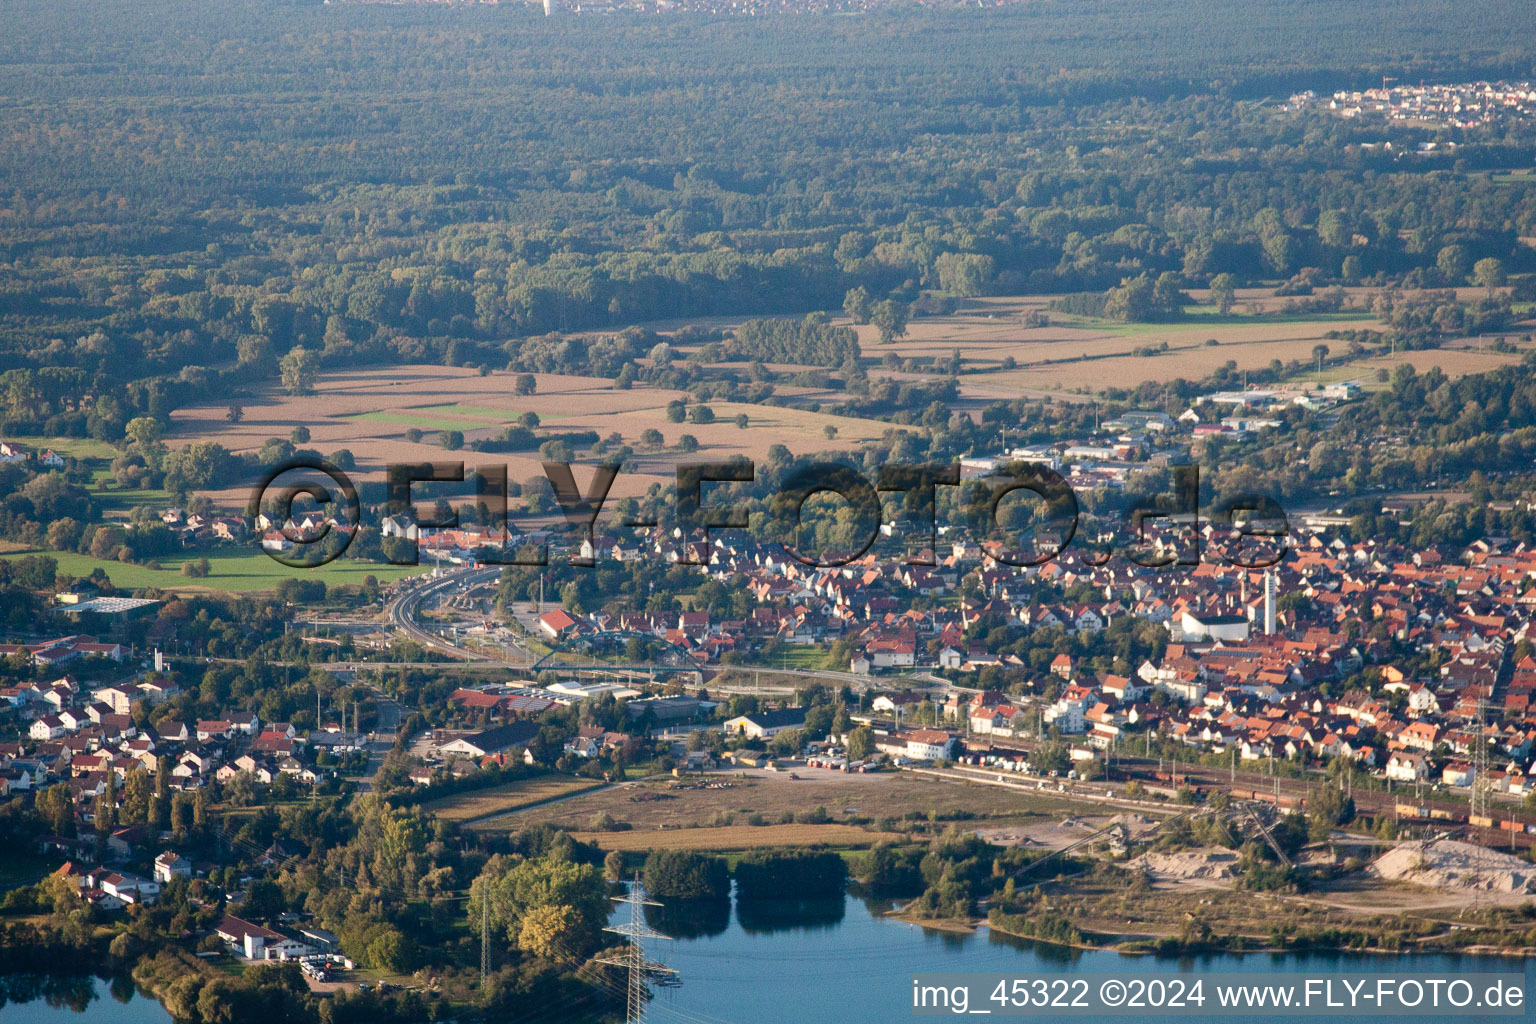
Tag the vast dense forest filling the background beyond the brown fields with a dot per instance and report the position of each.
(194, 193)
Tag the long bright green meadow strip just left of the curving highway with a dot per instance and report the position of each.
(234, 570)
